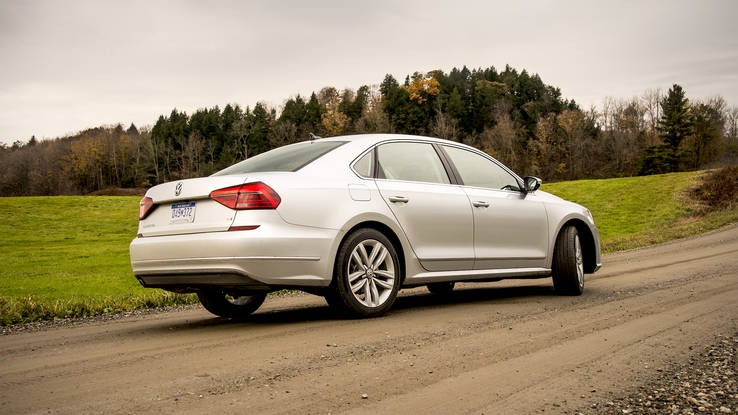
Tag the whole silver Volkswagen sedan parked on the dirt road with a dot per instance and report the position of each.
(354, 219)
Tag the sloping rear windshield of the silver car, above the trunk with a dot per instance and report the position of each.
(288, 158)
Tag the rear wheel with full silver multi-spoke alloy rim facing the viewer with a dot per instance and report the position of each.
(367, 275)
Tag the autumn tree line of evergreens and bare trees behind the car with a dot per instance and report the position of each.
(510, 114)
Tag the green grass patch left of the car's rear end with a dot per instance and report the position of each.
(68, 257)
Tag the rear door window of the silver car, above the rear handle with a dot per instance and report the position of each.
(414, 162)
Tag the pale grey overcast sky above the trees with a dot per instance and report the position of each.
(70, 65)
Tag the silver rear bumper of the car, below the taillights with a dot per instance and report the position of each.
(253, 259)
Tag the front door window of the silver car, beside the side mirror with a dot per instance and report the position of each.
(478, 171)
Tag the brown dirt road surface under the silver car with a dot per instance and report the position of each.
(508, 347)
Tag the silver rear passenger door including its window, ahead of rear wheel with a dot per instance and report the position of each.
(434, 214)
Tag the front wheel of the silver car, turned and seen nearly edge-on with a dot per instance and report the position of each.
(568, 263)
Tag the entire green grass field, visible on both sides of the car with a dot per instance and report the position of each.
(68, 256)
